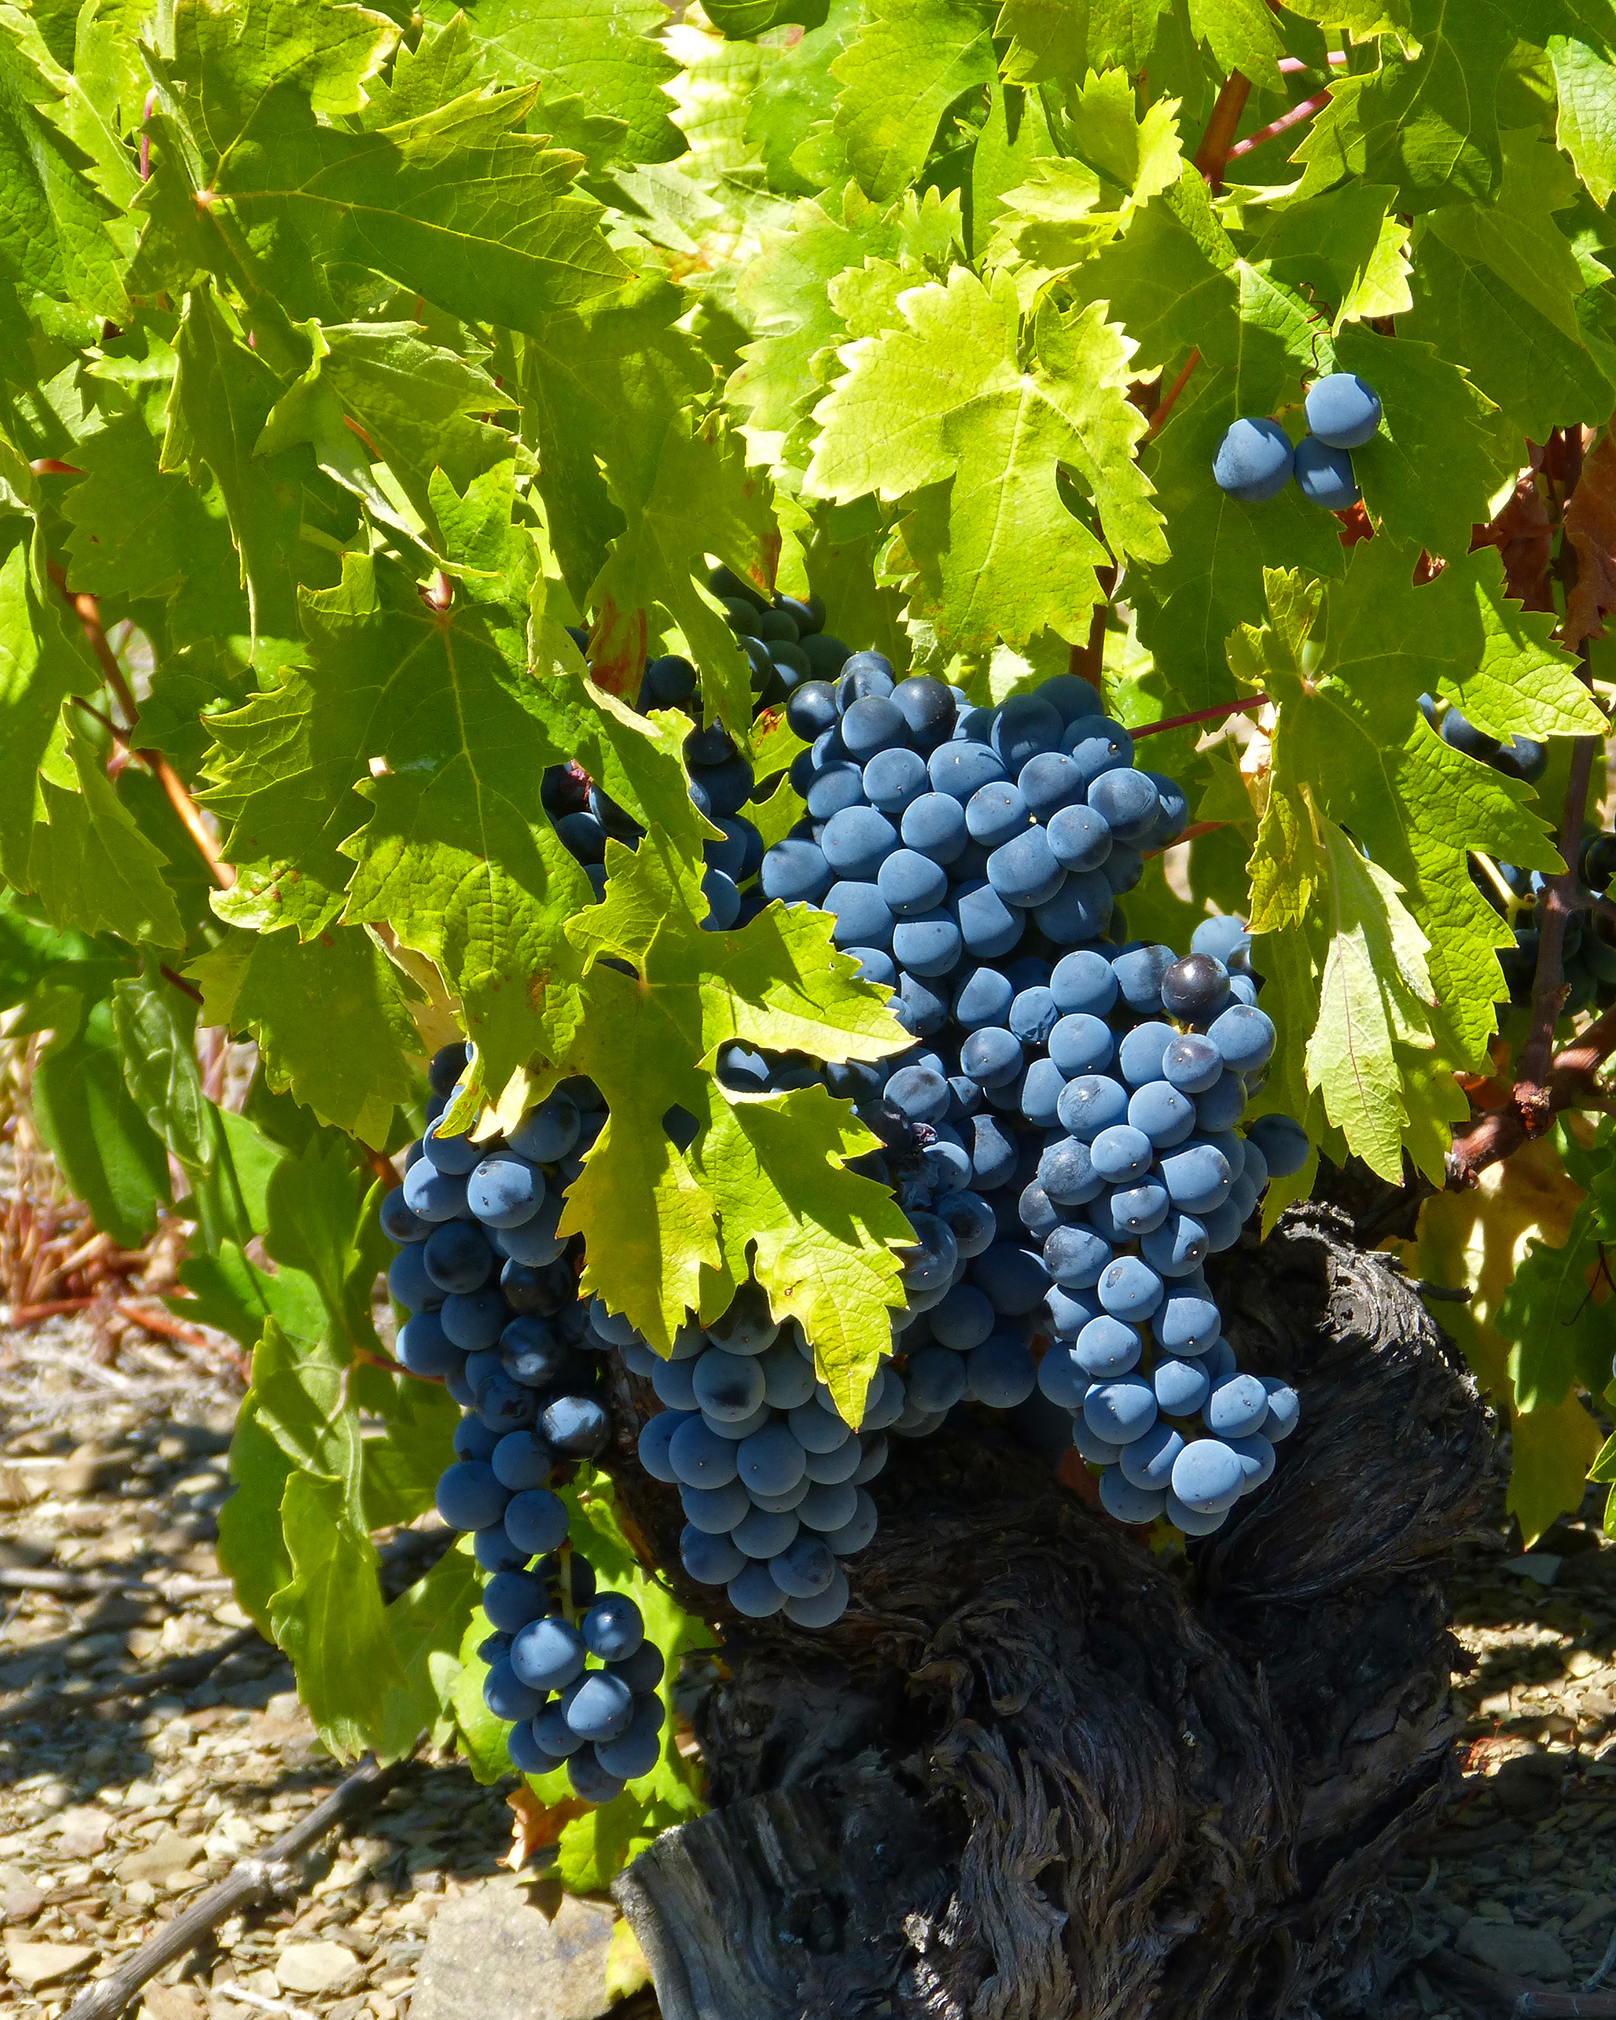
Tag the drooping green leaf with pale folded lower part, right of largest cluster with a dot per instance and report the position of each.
(1350, 750)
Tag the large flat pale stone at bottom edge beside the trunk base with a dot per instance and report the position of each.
(492, 1952)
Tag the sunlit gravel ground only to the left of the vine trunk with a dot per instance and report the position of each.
(116, 1815)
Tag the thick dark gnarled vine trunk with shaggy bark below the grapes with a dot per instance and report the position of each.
(1039, 1775)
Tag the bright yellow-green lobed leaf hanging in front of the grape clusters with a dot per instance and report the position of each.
(660, 1215)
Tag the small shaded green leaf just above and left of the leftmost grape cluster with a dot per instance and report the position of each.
(330, 1015)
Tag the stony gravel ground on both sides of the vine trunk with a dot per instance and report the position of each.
(114, 1815)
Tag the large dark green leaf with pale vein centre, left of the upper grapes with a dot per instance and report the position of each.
(433, 720)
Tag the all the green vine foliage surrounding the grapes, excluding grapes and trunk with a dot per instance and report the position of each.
(352, 355)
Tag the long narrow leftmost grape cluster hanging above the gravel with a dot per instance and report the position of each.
(496, 1316)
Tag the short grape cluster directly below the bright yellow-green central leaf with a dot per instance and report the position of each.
(771, 1478)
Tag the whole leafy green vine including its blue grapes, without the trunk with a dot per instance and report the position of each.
(593, 585)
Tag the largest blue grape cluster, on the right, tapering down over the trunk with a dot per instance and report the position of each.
(1064, 1130)
